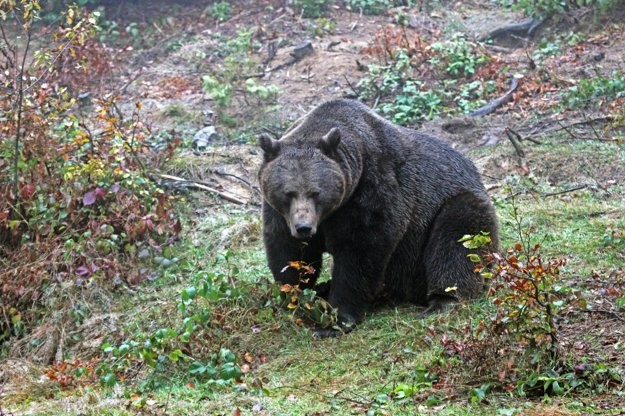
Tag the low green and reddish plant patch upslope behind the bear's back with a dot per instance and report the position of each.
(395, 84)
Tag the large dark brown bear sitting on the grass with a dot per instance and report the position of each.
(388, 203)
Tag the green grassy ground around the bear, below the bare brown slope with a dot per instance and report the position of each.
(393, 363)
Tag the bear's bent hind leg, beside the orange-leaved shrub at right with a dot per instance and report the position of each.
(450, 274)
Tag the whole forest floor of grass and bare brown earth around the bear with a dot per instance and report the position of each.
(564, 188)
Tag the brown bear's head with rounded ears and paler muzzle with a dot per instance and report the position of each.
(302, 180)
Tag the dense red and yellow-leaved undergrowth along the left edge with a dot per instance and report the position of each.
(78, 208)
